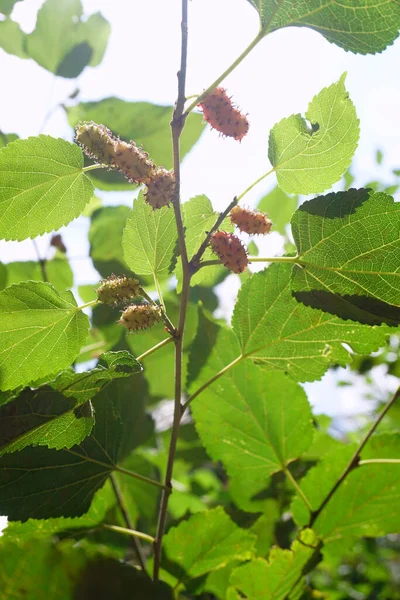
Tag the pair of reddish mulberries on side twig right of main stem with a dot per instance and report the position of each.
(228, 246)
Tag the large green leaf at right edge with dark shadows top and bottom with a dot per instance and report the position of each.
(349, 256)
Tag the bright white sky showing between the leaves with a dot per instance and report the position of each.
(279, 78)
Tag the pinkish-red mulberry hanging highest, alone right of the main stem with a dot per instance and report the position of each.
(222, 115)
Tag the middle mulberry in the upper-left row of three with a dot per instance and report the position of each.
(133, 162)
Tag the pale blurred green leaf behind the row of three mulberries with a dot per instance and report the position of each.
(147, 124)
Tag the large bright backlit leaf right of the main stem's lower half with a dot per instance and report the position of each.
(256, 423)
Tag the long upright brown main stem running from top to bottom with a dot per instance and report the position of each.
(177, 124)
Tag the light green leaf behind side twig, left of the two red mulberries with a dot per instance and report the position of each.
(198, 217)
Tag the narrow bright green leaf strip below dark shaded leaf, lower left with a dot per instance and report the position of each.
(103, 501)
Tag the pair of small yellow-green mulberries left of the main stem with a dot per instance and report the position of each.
(120, 290)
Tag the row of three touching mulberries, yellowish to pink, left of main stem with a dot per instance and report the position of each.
(101, 145)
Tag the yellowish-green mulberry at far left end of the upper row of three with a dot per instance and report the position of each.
(96, 141)
